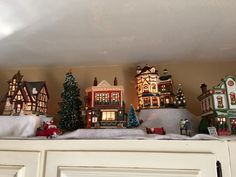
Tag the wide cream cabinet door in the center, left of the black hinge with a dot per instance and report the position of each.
(131, 164)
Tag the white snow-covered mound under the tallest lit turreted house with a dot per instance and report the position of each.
(169, 119)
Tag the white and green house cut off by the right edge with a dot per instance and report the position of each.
(218, 105)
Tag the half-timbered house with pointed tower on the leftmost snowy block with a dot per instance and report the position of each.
(24, 98)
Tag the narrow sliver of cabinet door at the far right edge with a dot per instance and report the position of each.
(232, 151)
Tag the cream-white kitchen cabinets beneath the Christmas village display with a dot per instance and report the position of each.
(113, 158)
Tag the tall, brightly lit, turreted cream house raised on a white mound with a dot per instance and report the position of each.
(154, 91)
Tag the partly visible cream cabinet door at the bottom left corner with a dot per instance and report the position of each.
(19, 164)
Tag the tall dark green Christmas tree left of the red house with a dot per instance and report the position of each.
(70, 107)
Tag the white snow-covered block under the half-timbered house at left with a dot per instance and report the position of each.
(18, 126)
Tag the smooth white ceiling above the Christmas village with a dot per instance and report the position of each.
(105, 32)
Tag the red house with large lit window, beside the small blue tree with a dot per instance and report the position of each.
(104, 105)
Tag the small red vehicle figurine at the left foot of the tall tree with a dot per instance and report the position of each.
(48, 129)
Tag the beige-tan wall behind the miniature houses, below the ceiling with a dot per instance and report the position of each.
(189, 74)
